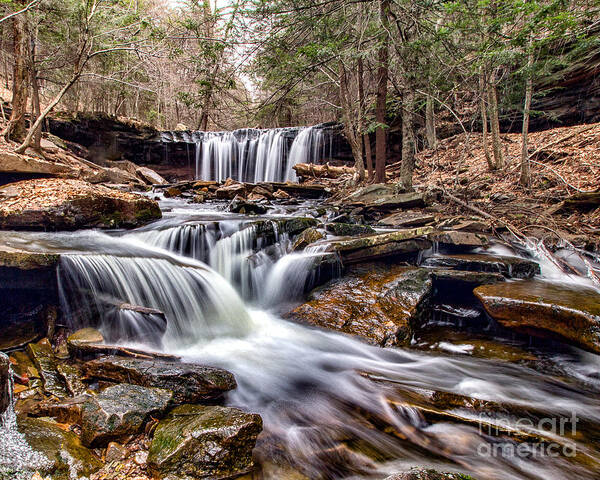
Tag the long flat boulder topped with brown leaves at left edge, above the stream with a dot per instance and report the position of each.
(63, 204)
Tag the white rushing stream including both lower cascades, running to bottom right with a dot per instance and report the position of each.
(332, 406)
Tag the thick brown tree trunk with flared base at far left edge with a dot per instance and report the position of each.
(16, 129)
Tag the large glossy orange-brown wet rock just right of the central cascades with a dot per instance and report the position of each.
(381, 305)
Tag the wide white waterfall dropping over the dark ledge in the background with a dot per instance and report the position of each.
(256, 155)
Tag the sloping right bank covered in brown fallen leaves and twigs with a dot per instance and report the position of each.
(564, 162)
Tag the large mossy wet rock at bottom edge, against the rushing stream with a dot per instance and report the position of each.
(204, 442)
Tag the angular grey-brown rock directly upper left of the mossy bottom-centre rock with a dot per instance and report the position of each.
(119, 411)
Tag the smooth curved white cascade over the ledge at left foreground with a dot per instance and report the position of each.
(199, 305)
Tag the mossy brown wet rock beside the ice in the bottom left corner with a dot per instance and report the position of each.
(67, 458)
